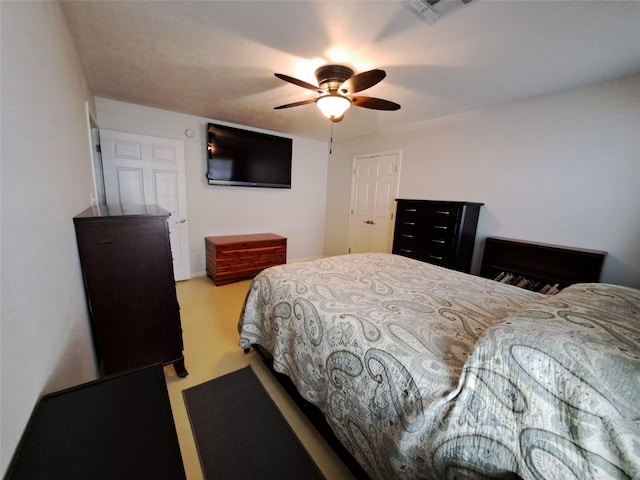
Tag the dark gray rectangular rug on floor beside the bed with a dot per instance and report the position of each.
(241, 434)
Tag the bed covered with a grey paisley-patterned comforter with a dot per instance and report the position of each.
(425, 372)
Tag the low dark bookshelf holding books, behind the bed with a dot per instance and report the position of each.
(539, 267)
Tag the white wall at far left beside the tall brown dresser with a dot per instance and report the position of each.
(46, 180)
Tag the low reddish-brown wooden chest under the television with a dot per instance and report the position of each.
(236, 257)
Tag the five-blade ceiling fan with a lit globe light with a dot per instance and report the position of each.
(336, 86)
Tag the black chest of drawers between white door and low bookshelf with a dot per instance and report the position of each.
(438, 232)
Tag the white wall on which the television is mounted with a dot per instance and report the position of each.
(298, 213)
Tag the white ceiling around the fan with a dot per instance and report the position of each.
(216, 59)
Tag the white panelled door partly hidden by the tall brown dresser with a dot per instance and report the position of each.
(138, 170)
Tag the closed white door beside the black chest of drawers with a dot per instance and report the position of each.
(373, 191)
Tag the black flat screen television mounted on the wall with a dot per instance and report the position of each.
(246, 158)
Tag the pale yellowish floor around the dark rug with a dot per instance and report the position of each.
(209, 322)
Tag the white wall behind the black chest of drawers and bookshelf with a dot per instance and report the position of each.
(562, 168)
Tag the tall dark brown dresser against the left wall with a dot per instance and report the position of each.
(128, 276)
